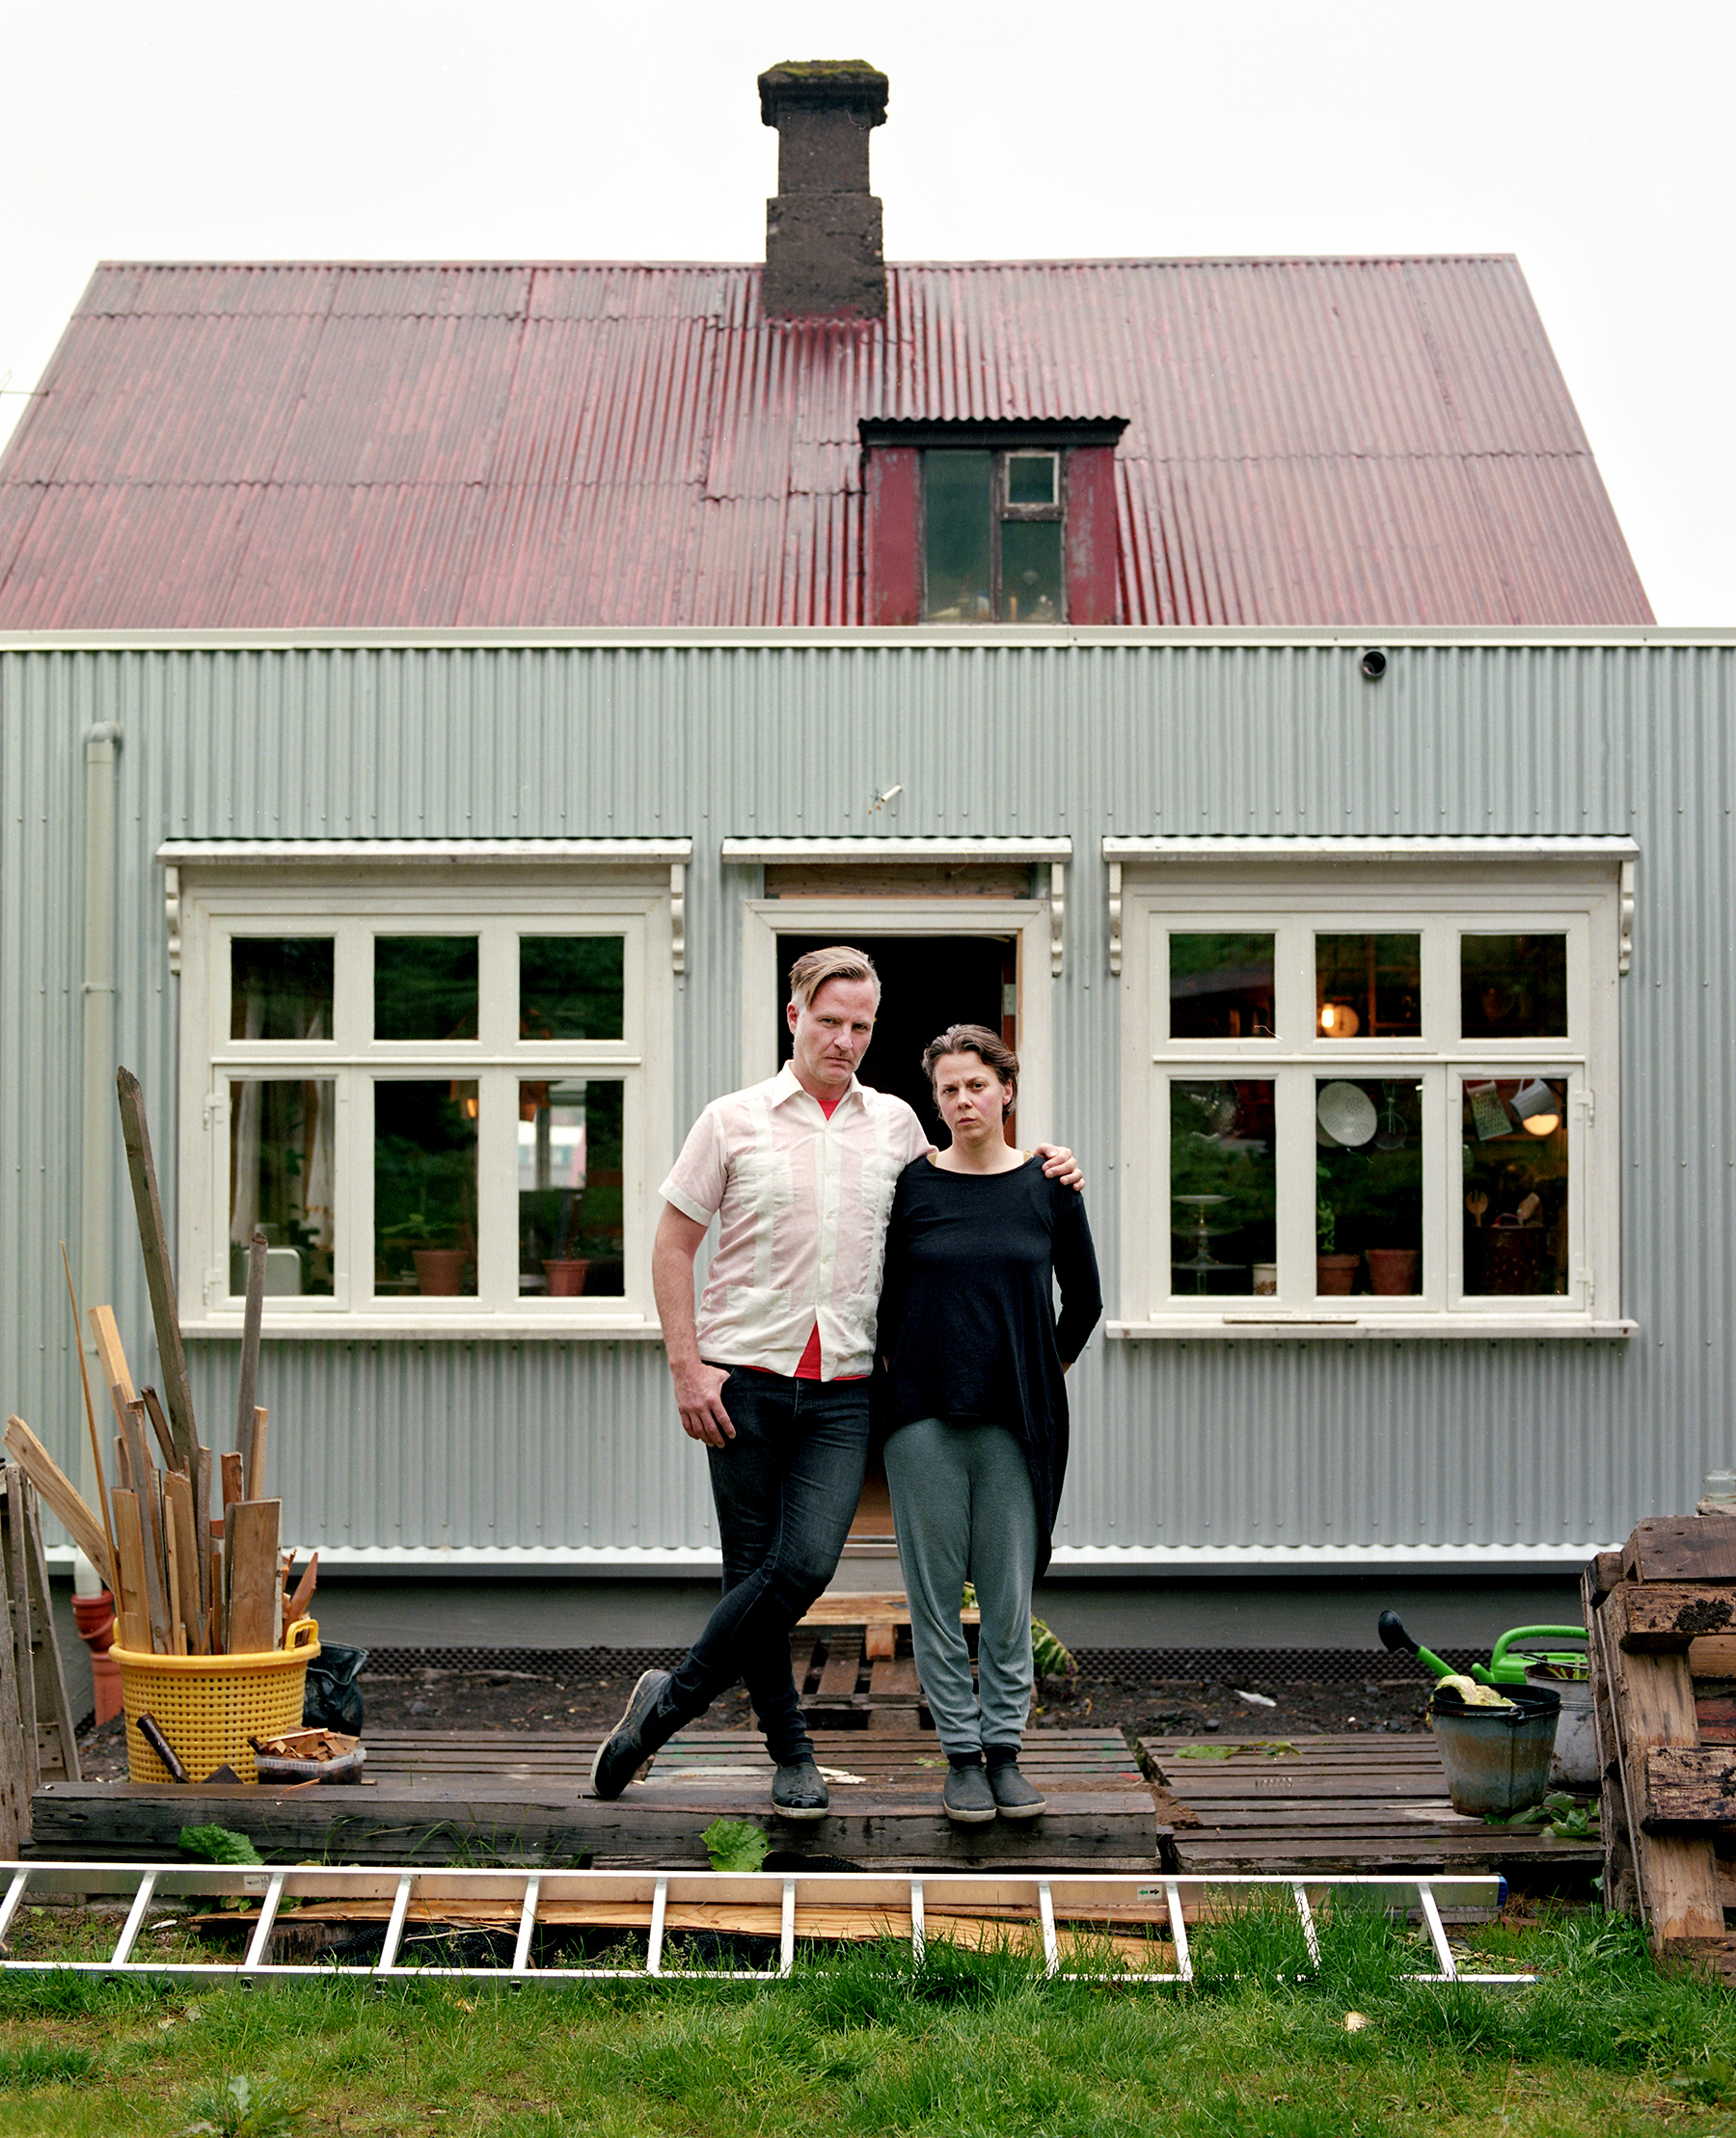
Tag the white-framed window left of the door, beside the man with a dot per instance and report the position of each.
(437, 1076)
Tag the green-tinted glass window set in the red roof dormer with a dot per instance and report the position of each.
(993, 527)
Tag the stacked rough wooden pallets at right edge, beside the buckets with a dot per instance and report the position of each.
(1662, 1622)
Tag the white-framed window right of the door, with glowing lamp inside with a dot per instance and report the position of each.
(1371, 1087)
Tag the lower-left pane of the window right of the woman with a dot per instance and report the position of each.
(1224, 1188)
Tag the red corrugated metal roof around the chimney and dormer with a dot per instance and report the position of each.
(1337, 441)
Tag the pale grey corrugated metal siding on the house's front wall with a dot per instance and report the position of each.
(1211, 1446)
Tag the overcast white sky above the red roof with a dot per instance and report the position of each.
(1587, 138)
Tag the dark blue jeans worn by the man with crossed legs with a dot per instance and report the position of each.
(786, 1491)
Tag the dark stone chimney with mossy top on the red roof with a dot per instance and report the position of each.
(824, 230)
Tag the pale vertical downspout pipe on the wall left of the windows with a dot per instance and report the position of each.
(97, 1138)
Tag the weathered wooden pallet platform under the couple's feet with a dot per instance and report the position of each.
(441, 1797)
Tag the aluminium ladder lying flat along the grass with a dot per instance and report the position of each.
(1061, 1908)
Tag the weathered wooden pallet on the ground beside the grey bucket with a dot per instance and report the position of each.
(1352, 1803)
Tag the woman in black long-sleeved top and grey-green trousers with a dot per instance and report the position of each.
(974, 1408)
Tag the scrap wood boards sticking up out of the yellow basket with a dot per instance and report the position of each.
(183, 1581)
